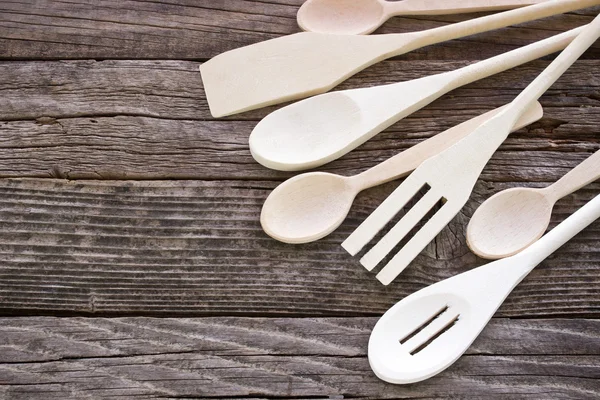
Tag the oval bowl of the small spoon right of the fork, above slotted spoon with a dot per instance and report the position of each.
(508, 222)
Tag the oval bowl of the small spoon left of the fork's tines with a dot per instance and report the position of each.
(307, 207)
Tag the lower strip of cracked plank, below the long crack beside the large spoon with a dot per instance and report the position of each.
(126, 147)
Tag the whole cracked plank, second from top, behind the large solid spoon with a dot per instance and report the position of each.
(149, 120)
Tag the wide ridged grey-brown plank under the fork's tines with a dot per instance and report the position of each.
(196, 248)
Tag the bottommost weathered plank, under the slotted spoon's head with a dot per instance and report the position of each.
(58, 358)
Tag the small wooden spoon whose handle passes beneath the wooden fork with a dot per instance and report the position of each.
(310, 206)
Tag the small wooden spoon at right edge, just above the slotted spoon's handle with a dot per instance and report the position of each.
(513, 219)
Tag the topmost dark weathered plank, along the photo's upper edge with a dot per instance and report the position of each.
(202, 29)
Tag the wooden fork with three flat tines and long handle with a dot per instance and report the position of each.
(451, 175)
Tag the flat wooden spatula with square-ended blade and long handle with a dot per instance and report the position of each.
(307, 63)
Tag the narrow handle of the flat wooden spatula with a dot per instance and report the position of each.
(496, 21)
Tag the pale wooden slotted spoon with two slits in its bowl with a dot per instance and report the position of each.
(429, 330)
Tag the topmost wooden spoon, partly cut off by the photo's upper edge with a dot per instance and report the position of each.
(359, 17)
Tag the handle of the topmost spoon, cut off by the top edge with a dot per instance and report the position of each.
(441, 7)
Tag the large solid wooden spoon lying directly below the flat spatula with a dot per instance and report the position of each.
(314, 131)
